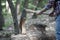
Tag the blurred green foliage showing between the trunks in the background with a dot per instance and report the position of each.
(7, 16)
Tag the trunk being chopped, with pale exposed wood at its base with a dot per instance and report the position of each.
(23, 17)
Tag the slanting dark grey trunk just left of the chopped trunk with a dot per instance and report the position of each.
(14, 15)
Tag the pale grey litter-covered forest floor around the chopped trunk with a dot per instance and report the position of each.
(34, 34)
